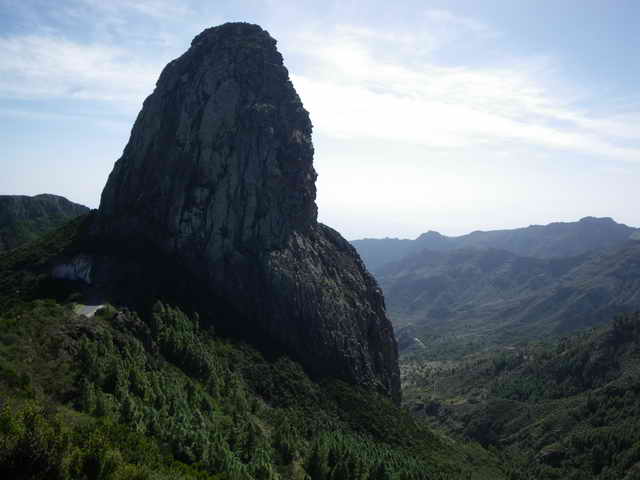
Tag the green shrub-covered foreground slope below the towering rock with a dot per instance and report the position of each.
(155, 395)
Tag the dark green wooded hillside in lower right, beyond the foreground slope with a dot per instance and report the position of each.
(567, 409)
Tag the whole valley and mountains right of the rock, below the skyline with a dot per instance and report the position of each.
(535, 357)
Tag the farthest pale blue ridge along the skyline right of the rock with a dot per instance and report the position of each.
(555, 240)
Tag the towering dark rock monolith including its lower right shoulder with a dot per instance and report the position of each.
(218, 174)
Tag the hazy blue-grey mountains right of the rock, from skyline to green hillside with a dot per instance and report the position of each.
(509, 285)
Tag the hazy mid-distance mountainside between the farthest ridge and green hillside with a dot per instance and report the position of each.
(492, 296)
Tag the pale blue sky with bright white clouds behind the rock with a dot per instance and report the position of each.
(451, 116)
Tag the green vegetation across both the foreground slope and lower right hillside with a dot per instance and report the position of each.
(157, 393)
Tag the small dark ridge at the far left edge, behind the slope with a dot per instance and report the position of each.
(24, 218)
